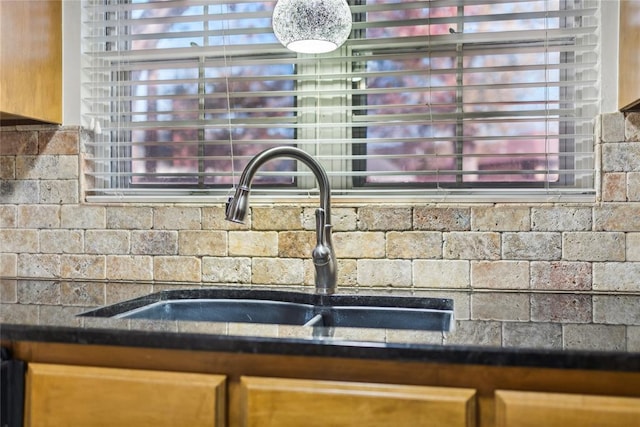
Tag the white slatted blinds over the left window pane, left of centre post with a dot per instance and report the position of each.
(196, 88)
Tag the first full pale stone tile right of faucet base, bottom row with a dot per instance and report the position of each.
(384, 273)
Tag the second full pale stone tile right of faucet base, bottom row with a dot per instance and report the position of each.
(444, 274)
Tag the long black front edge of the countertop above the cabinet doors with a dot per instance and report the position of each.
(399, 352)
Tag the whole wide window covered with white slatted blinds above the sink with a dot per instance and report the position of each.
(427, 98)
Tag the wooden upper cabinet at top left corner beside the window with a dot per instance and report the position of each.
(30, 61)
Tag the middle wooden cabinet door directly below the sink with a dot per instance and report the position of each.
(275, 402)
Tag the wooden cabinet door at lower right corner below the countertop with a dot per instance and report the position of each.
(533, 409)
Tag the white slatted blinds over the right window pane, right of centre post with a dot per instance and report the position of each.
(477, 93)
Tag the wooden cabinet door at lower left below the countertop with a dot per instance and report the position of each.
(59, 395)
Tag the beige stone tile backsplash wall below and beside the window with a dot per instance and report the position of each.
(509, 255)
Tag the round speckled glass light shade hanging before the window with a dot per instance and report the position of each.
(312, 26)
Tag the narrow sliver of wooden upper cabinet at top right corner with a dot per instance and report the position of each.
(629, 56)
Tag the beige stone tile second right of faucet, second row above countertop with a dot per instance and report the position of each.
(414, 244)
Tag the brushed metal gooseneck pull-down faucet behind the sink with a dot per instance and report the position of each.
(323, 256)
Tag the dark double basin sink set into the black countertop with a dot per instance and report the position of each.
(286, 308)
